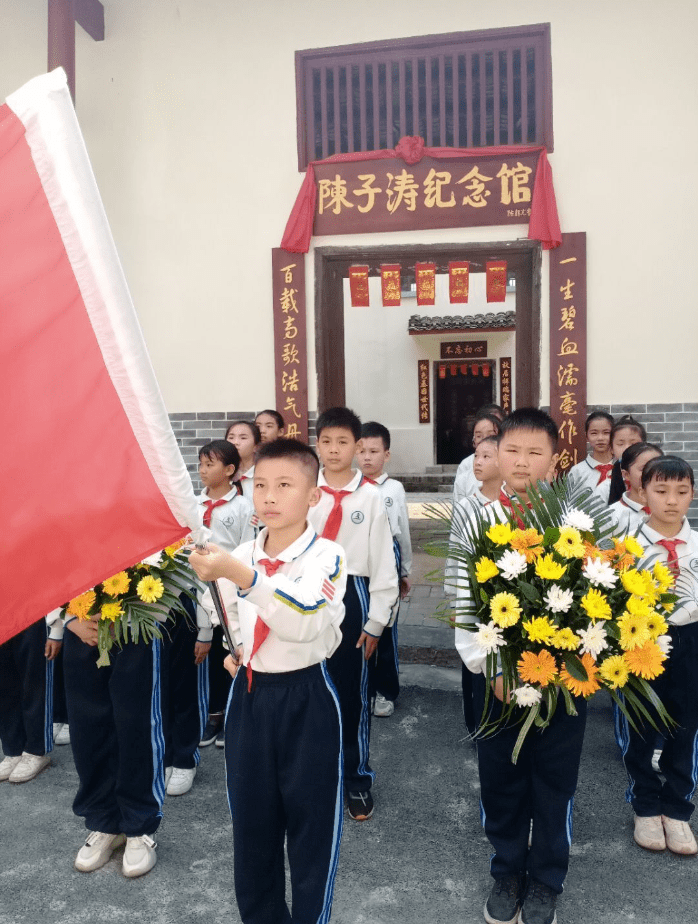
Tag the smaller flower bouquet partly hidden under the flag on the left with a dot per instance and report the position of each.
(132, 604)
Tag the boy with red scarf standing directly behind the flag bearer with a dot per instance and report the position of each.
(351, 510)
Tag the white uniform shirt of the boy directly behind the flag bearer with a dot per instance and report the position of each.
(367, 541)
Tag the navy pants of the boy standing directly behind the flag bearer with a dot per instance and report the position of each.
(353, 678)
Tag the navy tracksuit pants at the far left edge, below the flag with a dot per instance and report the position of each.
(26, 693)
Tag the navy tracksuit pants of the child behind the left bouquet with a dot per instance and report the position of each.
(116, 732)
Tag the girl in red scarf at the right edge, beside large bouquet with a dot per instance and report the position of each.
(663, 809)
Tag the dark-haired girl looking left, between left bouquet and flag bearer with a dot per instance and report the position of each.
(228, 514)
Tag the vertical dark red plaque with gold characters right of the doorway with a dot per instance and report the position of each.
(568, 347)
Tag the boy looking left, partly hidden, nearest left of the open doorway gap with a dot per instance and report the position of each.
(373, 454)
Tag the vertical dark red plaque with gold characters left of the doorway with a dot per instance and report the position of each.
(290, 342)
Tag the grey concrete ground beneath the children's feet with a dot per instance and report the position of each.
(422, 858)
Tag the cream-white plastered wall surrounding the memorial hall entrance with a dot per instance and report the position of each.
(188, 110)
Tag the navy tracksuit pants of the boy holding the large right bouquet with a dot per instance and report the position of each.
(540, 787)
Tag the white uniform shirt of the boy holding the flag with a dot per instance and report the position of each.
(302, 604)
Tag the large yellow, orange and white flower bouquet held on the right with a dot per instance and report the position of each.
(559, 608)
